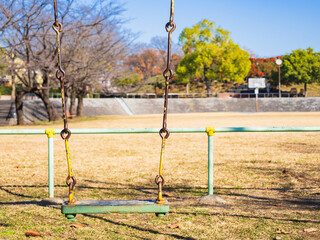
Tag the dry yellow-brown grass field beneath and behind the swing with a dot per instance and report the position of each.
(270, 181)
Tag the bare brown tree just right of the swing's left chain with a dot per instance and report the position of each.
(95, 50)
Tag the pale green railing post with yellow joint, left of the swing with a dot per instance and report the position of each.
(50, 133)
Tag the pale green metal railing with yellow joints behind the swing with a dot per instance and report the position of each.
(209, 130)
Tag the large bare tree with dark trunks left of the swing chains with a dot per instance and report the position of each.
(26, 37)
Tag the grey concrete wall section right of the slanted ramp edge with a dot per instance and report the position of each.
(149, 106)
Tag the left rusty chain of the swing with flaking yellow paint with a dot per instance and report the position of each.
(65, 133)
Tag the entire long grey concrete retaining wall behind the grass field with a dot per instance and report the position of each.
(34, 110)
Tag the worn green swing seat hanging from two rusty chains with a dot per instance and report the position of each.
(114, 206)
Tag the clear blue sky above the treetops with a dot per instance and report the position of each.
(266, 27)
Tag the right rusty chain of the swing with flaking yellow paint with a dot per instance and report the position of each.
(164, 132)
